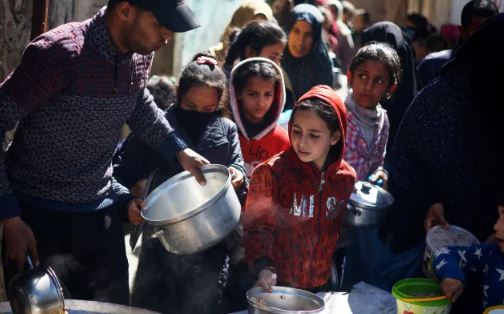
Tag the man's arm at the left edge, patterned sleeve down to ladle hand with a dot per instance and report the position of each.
(44, 70)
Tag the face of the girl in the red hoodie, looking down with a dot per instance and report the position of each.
(311, 138)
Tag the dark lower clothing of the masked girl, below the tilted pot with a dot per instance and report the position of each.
(180, 284)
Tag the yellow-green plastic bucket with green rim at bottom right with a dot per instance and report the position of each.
(420, 296)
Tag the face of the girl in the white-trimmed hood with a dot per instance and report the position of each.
(256, 98)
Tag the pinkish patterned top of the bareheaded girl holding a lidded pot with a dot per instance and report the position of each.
(363, 158)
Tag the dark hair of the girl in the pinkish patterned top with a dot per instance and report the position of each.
(383, 53)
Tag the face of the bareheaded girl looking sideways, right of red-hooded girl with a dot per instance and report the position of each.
(370, 82)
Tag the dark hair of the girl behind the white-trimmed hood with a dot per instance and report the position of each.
(256, 35)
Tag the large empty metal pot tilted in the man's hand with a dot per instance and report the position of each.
(190, 217)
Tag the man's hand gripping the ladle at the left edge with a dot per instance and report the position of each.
(19, 240)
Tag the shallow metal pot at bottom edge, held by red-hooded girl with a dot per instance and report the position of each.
(283, 300)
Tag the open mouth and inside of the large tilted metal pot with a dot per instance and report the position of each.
(182, 197)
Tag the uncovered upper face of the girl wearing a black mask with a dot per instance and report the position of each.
(201, 99)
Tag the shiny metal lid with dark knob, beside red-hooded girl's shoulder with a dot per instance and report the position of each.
(367, 195)
